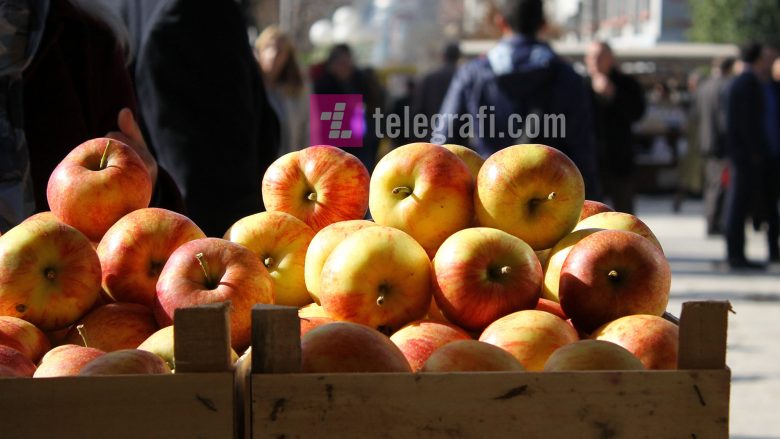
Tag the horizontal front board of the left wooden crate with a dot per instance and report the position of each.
(170, 406)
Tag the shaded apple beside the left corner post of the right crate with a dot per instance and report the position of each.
(349, 347)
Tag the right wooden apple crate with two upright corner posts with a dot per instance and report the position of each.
(692, 402)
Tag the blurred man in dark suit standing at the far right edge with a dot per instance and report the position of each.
(750, 158)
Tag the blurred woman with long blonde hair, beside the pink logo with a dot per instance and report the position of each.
(286, 89)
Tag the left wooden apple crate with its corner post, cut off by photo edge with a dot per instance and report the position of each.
(195, 402)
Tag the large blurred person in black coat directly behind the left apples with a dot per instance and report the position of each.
(203, 104)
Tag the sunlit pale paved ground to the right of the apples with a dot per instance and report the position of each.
(754, 331)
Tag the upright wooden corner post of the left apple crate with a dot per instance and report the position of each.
(202, 338)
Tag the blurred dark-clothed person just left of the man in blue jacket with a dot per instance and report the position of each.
(429, 96)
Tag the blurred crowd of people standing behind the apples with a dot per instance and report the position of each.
(208, 111)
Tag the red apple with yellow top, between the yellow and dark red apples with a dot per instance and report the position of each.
(481, 274)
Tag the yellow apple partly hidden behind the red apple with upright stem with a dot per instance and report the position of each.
(281, 241)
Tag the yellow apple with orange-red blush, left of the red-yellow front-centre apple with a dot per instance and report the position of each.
(379, 277)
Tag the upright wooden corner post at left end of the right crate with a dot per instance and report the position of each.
(276, 339)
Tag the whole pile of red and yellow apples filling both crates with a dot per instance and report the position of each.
(466, 265)
